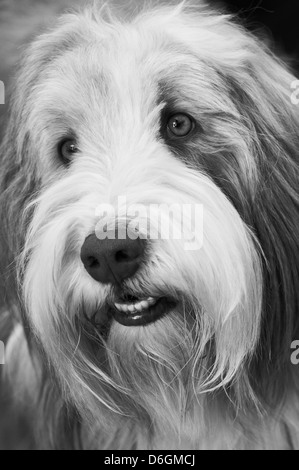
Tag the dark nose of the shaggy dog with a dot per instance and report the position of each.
(111, 261)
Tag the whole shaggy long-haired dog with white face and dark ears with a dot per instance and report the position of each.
(135, 341)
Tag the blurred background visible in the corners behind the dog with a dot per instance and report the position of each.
(19, 22)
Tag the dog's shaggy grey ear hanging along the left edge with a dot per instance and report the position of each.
(18, 177)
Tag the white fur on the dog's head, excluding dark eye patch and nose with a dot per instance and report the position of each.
(153, 390)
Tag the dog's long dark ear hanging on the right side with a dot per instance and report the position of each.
(261, 90)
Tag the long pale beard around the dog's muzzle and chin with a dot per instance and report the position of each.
(157, 373)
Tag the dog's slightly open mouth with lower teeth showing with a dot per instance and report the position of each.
(129, 310)
